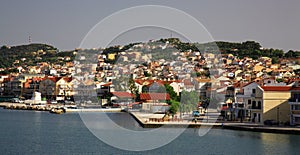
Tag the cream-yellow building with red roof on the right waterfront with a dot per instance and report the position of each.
(271, 104)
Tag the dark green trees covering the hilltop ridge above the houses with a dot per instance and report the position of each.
(32, 54)
